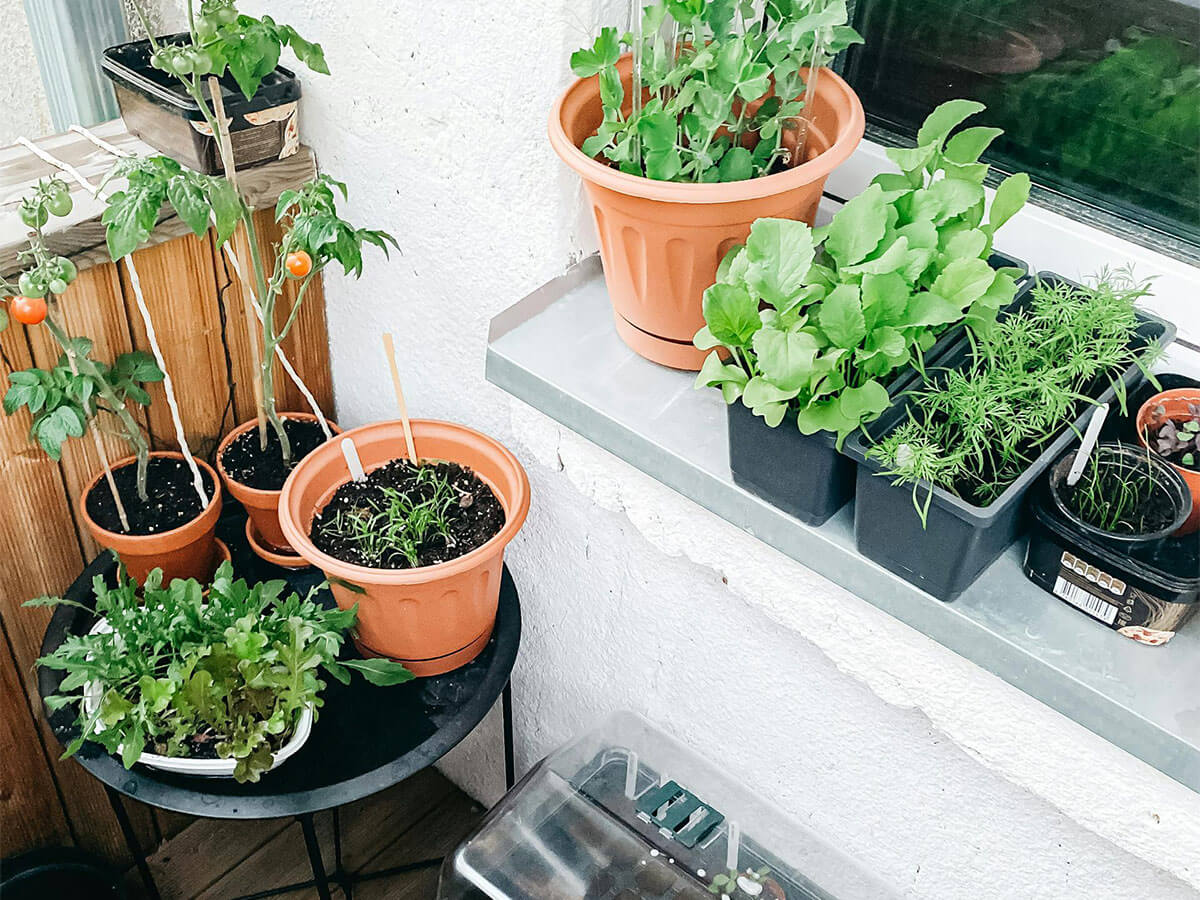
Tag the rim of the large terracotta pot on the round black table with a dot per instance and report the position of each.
(290, 518)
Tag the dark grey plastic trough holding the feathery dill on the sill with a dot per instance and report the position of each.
(961, 539)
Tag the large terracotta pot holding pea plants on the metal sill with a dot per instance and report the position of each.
(662, 242)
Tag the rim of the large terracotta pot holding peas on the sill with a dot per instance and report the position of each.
(724, 193)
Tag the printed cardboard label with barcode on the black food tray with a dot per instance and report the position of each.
(1135, 614)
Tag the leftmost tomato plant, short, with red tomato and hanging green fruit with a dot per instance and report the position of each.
(79, 392)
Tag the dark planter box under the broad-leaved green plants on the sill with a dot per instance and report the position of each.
(802, 475)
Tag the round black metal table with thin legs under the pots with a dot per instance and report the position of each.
(367, 739)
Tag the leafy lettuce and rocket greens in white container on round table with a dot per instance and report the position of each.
(188, 670)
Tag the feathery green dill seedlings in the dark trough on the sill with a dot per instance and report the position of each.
(980, 428)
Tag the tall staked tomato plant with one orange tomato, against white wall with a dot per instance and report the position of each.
(224, 41)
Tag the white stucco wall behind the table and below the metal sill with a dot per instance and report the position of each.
(944, 779)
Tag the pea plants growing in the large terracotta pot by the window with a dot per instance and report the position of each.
(700, 70)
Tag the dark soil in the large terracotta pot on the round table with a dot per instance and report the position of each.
(473, 515)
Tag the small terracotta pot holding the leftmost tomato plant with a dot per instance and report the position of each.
(184, 553)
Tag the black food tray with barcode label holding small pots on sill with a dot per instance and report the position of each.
(1143, 589)
